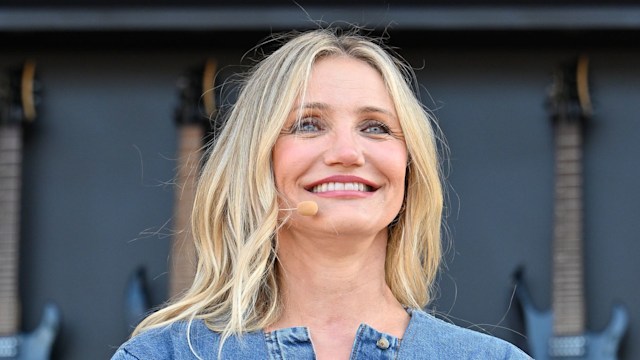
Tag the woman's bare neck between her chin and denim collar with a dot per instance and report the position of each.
(337, 283)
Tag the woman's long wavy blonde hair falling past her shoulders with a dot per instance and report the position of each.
(235, 215)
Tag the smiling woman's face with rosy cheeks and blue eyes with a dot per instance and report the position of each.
(342, 147)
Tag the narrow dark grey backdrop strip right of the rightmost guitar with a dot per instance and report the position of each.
(612, 194)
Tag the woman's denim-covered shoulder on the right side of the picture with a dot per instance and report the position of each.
(428, 334)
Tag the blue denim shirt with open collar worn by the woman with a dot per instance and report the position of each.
(426, 337)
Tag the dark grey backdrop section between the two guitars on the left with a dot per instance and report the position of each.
(99, 200)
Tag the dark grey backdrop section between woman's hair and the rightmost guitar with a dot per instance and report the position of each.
(490, 105)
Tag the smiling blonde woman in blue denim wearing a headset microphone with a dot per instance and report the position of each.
(331, 119)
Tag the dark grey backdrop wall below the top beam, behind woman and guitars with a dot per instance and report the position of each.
(98, 194)
